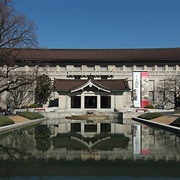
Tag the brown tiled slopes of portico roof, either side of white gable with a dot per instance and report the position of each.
(71, 84)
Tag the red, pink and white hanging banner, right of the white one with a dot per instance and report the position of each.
(144, 89)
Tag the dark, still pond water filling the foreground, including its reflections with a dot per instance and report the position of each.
(78, 150)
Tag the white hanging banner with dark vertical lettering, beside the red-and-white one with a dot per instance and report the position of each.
(137, 89)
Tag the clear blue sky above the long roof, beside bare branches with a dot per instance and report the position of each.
(104, 23)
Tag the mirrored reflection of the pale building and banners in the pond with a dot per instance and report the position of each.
(101, 141)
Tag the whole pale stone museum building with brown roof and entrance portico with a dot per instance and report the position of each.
(100, 78)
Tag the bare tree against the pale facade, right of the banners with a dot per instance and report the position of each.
(168, 92)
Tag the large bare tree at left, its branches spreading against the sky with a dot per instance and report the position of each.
(16, 32)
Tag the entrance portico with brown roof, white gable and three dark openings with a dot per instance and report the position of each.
(90, 94)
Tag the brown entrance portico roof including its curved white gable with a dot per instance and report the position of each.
(107, 85)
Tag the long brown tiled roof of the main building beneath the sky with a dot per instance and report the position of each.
(100, 54)
